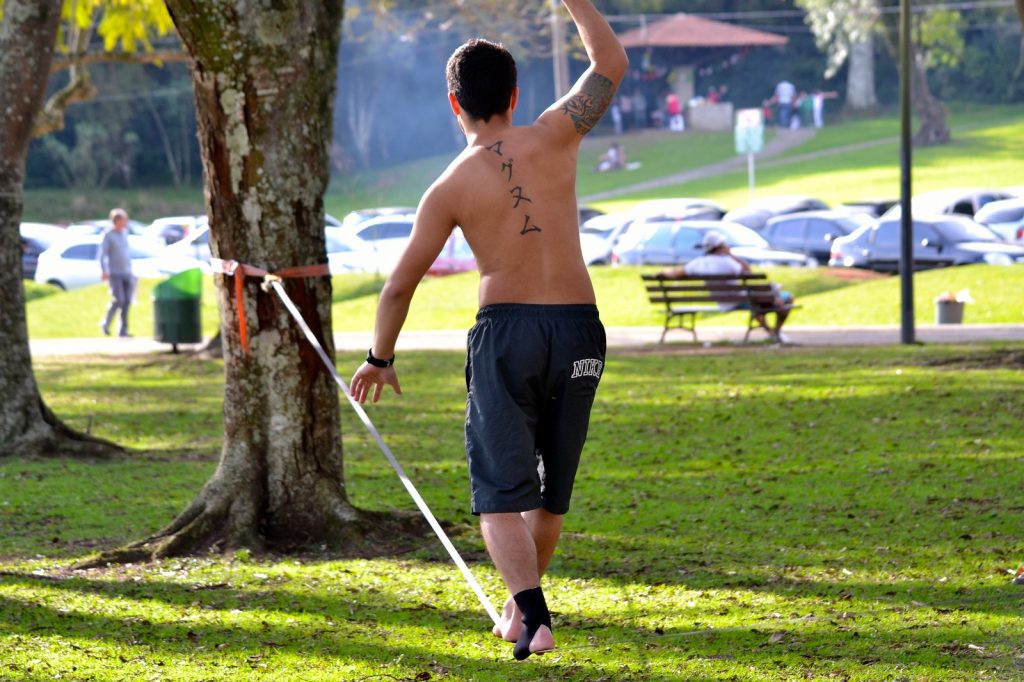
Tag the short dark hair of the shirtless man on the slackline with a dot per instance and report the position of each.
(483, 77)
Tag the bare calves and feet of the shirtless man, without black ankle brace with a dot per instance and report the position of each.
(521, 559)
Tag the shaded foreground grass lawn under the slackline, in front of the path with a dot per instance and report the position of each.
(749, 516)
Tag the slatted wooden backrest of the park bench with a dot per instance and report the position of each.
(709, 289)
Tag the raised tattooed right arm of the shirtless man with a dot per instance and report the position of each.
(579, 112)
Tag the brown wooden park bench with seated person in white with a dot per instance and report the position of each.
(687, 296)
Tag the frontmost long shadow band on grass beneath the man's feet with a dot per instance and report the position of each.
(359, 627)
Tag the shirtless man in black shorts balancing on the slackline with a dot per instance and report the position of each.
(537, 352)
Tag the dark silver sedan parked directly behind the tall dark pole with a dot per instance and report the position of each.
(938, 241)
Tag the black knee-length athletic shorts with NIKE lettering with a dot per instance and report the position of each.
(532, 373)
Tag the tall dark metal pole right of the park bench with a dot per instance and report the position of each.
(907, 218)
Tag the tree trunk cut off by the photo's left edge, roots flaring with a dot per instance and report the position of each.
(27, 425)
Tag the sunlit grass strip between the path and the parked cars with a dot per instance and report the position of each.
(828, 297)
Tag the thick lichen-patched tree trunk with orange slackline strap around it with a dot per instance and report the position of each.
(265, 84)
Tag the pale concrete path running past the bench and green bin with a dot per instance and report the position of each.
(627, 338)
